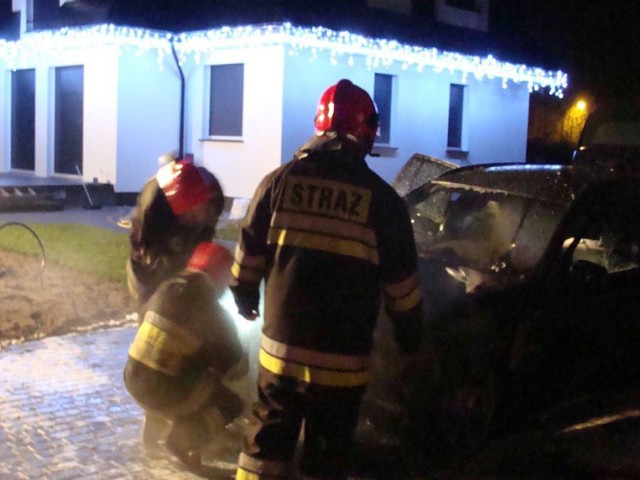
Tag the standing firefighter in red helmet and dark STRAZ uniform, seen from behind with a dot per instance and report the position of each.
(331, 239)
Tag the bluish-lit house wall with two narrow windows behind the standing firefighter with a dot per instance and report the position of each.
(495, 117)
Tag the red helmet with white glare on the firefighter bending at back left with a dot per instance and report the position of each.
(183, 186)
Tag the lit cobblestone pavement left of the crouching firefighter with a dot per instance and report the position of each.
(65, 413)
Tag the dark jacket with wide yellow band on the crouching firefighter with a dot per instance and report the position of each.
(184, 335)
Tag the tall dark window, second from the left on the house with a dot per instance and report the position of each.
(69, 104)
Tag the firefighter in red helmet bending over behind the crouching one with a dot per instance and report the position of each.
(175, 210)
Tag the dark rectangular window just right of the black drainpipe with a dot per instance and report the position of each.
(226, 97)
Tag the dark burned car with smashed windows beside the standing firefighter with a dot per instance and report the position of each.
(531, 281)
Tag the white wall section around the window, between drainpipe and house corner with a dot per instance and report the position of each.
(240, 164)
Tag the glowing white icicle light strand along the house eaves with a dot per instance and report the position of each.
(315, 40)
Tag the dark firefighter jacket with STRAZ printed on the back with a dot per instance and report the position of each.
(330, 238)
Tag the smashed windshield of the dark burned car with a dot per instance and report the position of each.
(492, 232)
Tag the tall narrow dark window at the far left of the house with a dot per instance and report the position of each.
(23, 119)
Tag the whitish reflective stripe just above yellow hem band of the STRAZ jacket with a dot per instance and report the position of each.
(334, 361)
